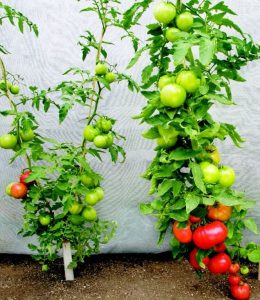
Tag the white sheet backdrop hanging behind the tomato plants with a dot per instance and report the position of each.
(41, 61)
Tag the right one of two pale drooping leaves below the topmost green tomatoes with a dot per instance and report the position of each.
(207, 50)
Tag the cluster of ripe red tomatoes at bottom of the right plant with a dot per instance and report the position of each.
(211, 236)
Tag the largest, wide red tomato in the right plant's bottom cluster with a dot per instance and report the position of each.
(208, 236)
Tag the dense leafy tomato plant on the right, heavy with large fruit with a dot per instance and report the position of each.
(194, 56)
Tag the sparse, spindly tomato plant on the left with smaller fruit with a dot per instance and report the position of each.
(59, 187)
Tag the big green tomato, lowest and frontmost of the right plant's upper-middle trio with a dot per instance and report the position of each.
(173, 95)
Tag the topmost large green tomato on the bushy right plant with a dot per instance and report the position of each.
(164, 12)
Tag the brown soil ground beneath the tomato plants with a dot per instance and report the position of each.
(153, 277)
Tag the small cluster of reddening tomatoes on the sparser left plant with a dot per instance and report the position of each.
(19, 190)
